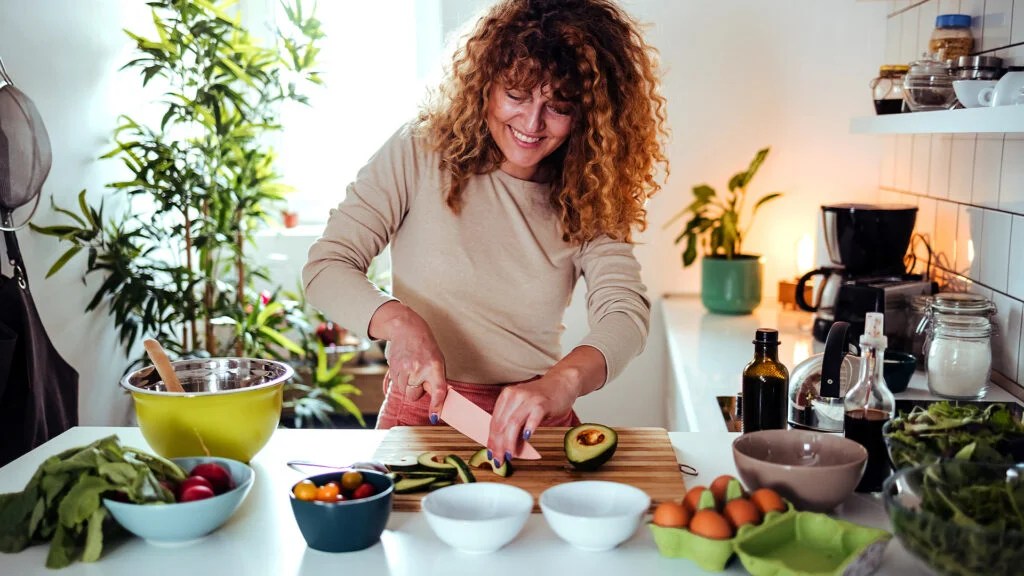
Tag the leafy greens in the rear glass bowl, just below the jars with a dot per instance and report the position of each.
(946, 430)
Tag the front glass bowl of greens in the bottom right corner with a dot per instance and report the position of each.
(961, 518)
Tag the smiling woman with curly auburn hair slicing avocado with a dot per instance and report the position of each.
(529, 172)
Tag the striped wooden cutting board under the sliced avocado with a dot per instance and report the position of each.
(645, 459)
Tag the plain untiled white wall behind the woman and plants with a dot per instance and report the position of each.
(740, 75)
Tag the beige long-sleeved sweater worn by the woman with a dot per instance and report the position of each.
(493, 283)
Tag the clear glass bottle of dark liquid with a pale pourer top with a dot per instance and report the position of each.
(870, 404)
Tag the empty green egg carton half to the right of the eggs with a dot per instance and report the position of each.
(810, 545)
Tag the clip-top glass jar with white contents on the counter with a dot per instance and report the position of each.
(958, 346)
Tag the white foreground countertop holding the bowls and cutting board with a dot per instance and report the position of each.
(263, 538)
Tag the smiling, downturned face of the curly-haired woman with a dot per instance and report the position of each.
(528, 127)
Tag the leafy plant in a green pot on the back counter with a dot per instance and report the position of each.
(731, 279)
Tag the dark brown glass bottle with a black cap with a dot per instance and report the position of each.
(766, 385)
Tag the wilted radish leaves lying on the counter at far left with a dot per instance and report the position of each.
(63, 502)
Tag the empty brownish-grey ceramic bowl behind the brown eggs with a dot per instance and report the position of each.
(815, 471)
